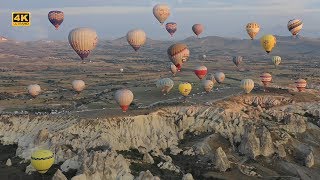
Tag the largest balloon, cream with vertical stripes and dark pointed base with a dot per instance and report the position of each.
(83, 41)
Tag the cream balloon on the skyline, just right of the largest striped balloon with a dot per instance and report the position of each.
(136, 38)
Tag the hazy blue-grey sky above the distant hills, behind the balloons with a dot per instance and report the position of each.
(114, 18)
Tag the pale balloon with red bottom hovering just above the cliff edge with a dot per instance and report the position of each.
(124, 98)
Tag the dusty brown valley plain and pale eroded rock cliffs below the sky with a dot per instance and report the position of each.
(221, 135)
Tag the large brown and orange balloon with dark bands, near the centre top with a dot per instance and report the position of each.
(178, 54)
